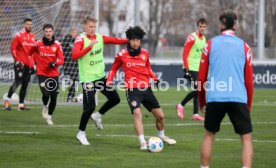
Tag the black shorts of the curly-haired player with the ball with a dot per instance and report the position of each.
(135, 97)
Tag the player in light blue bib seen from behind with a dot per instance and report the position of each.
(226, 68)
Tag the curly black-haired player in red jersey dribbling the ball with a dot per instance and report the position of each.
(134, 61)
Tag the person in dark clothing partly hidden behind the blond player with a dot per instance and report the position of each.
(70, 67)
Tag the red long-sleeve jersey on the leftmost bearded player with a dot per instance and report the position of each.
(21, 44)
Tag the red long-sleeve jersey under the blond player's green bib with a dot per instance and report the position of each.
(78, 50)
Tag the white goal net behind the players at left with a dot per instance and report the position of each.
(62, 14)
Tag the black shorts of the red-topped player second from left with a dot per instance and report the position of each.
(48, 85)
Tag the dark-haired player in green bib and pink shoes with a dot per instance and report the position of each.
(191, 56)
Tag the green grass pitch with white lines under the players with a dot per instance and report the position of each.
(27, 142)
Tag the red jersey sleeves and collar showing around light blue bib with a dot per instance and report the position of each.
(204, 68)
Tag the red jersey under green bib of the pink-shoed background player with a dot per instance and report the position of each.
(187, 47)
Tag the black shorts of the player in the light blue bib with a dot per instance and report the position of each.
(237, 112)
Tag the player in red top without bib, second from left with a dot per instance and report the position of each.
(48, 57)
